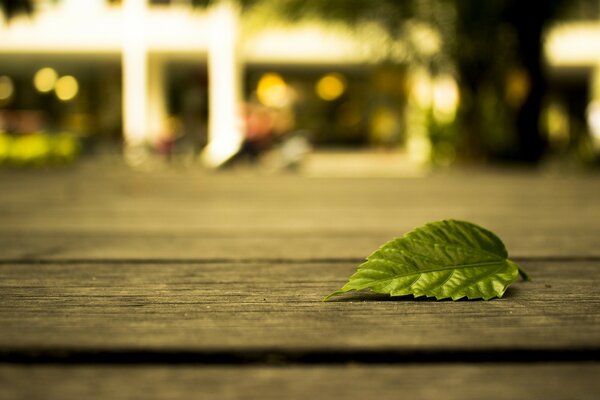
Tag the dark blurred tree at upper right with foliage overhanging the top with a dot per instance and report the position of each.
(493, 48)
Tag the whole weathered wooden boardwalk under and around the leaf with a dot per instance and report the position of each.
(179, 284)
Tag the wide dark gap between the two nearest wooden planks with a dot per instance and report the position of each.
(68, 356)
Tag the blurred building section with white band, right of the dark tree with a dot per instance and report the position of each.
(572, 49)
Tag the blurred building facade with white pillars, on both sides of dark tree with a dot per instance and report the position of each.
(172, 77)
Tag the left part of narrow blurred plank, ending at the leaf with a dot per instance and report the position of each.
(190, 246)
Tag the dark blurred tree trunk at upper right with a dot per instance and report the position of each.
(486, 56)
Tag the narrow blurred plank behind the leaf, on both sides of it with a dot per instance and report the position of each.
(526, 241)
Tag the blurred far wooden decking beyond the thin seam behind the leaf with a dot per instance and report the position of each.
(113, 213)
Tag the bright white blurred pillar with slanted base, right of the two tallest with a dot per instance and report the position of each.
(225, 132)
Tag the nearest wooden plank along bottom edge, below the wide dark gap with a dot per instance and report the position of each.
(464, 382)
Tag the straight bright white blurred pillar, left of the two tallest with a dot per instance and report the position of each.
(135, 70)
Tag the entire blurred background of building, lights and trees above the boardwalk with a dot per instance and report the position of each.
(338, 86)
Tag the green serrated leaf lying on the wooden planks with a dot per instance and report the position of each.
(443, 259)
